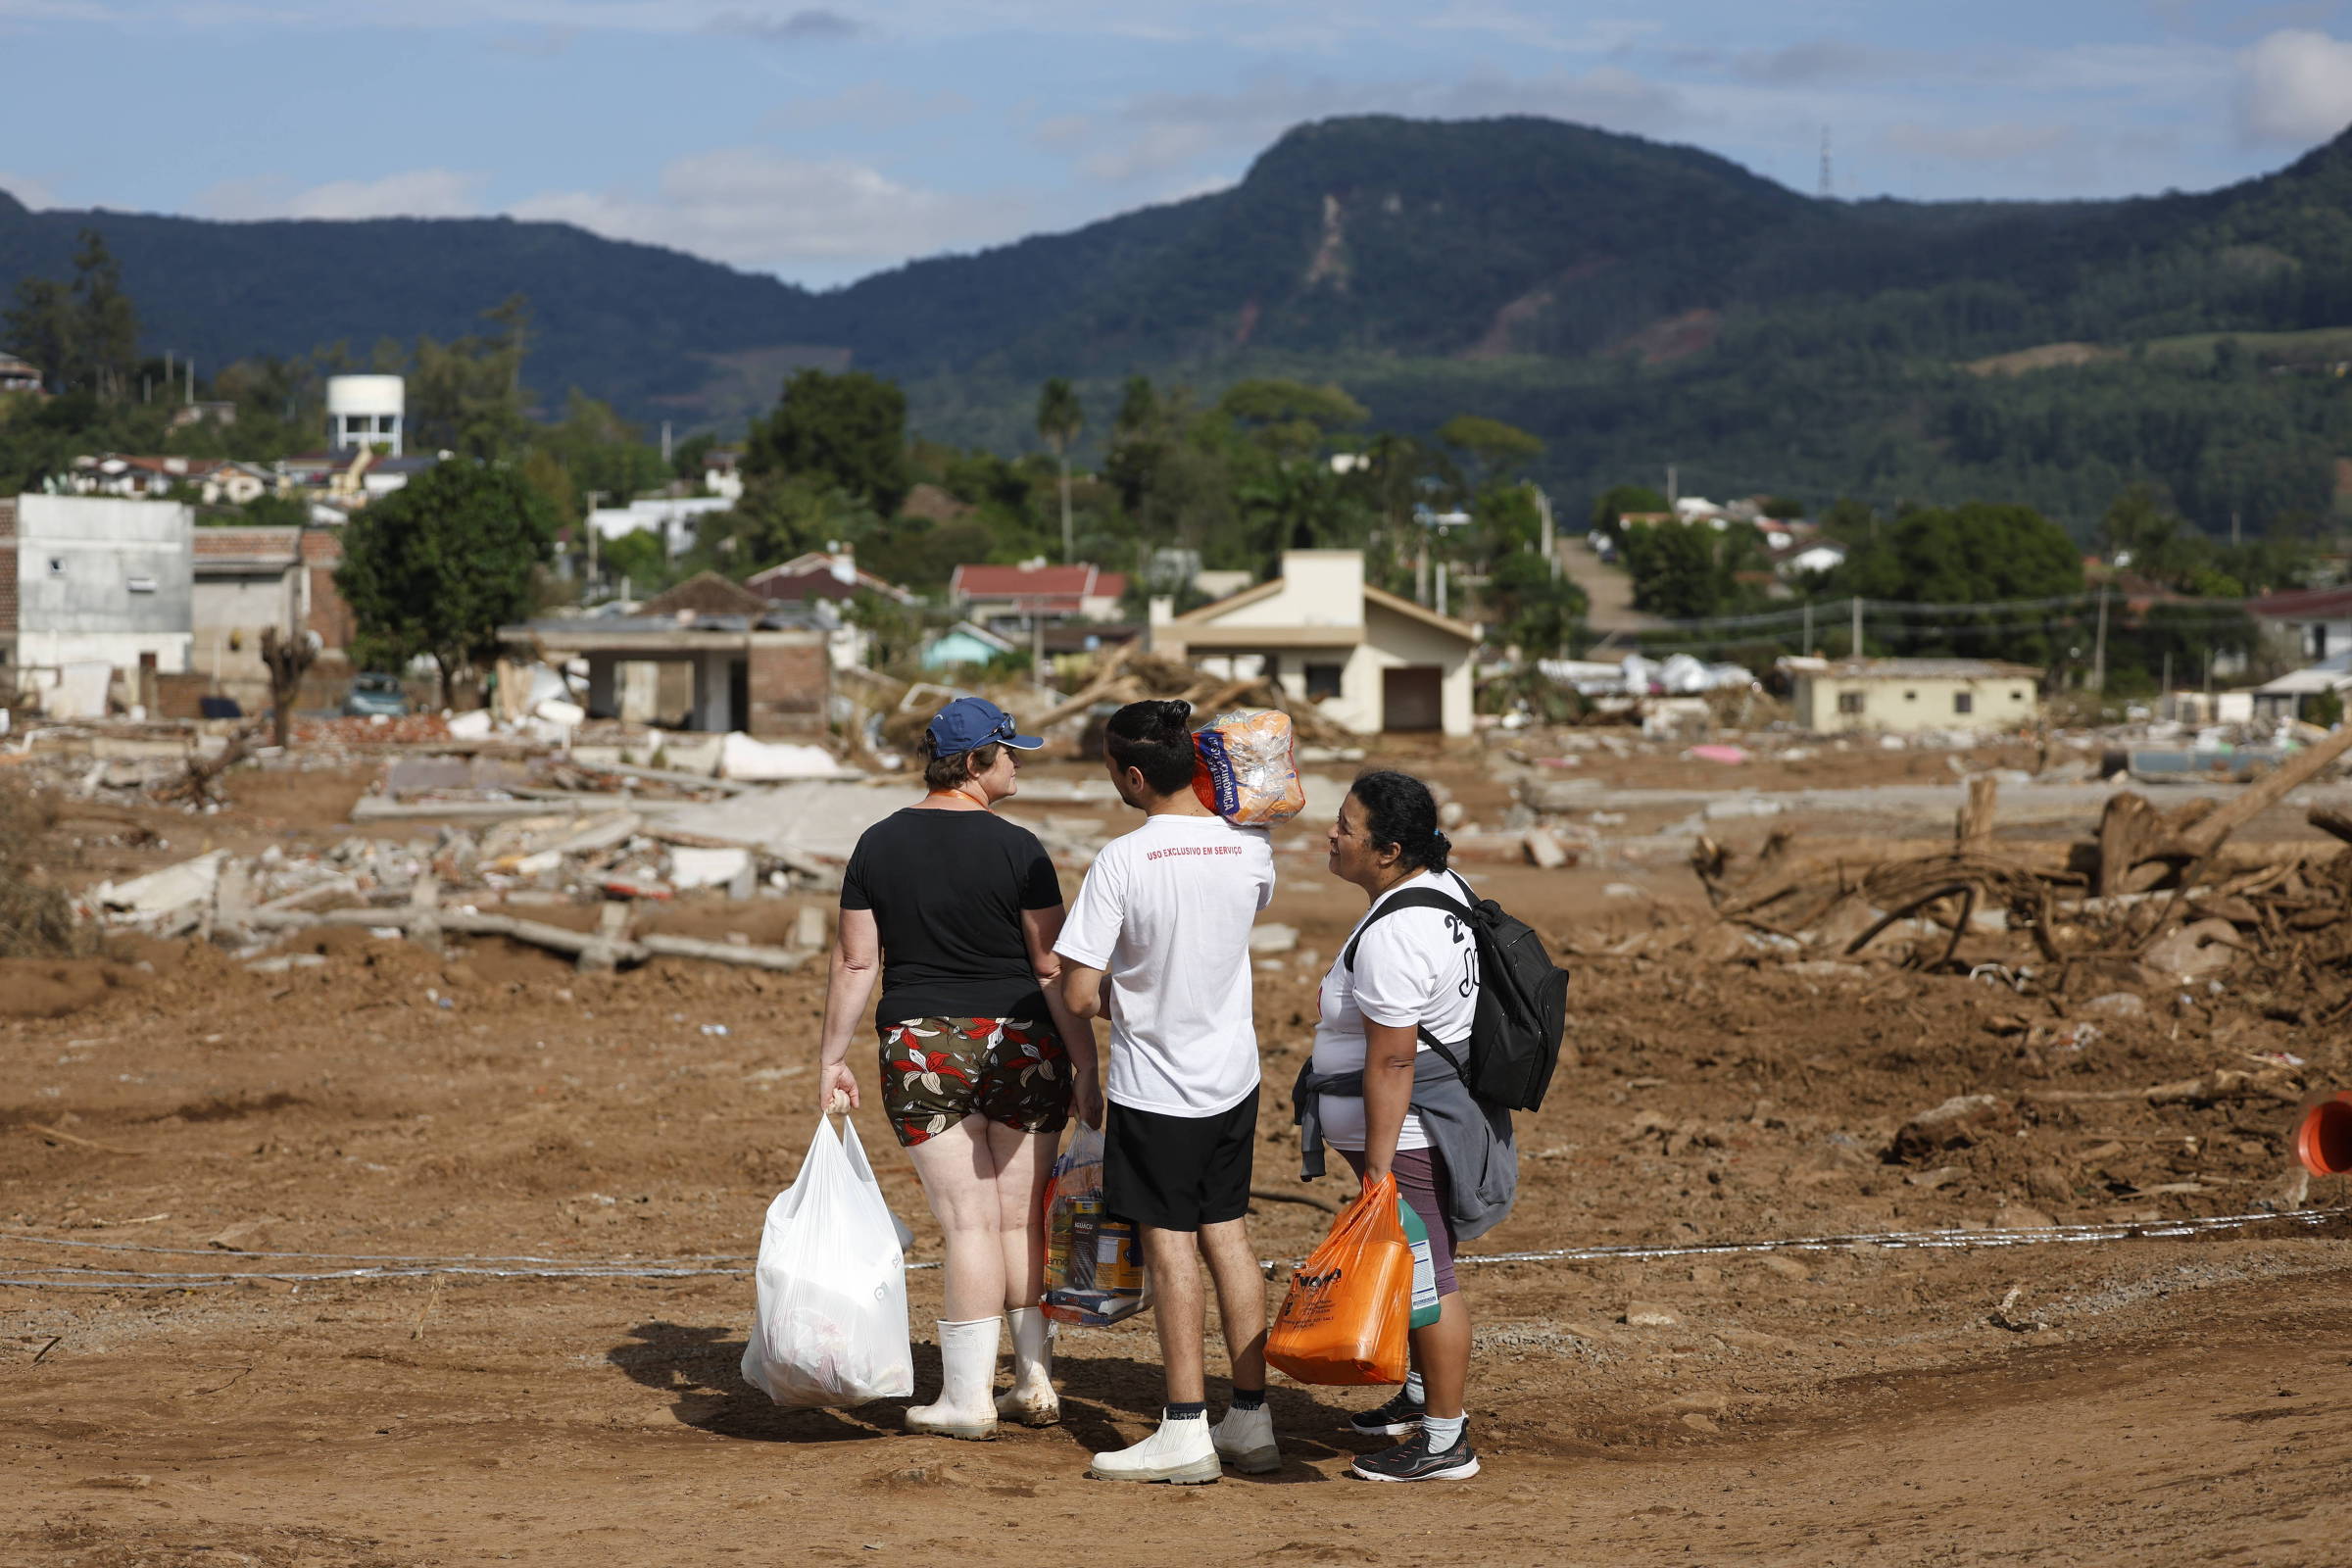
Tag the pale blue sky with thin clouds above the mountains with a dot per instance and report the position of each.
(827, 140)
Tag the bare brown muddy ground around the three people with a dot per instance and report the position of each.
(2146, 1400)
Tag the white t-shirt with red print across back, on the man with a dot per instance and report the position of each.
(1165, 913)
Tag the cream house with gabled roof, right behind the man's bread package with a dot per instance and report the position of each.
(1370, 659)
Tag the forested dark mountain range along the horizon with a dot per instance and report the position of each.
(1633, 302)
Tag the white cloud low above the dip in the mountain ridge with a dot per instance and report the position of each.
(768, 210)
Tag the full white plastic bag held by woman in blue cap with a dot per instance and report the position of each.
(831, 1325)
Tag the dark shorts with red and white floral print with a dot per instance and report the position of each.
(940, 1071)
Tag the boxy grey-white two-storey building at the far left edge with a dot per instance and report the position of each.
(95, 582)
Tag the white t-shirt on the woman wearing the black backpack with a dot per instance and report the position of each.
(1415, 967)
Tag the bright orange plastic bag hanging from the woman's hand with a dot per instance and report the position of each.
(1347, 1313)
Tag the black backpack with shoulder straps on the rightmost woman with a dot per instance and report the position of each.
(1523, 1000)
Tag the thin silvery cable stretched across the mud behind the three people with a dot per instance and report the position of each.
(587, 1268)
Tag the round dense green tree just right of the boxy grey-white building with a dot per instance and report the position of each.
(443, 563)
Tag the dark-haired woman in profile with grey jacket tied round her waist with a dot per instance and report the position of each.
(1387, 1087)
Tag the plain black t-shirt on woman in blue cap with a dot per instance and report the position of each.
(949, 890)
